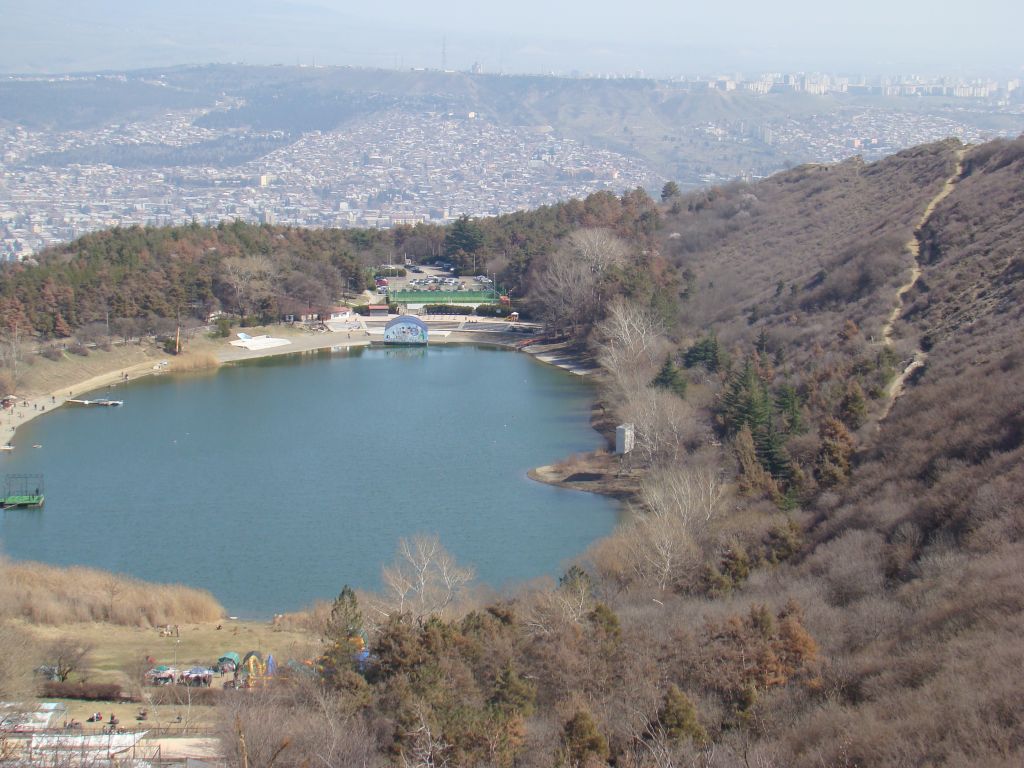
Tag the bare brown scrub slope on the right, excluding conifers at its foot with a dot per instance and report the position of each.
(910, 577)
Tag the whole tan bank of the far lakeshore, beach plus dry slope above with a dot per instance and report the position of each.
(47, 386)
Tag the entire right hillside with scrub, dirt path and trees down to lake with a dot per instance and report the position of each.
(816, 575)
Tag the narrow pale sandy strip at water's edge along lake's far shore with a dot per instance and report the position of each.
(356, 334)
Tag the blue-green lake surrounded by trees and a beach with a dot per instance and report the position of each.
(274, 483)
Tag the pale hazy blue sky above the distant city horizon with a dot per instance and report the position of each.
(660, 37)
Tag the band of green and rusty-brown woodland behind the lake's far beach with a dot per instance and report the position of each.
(148, 275)
